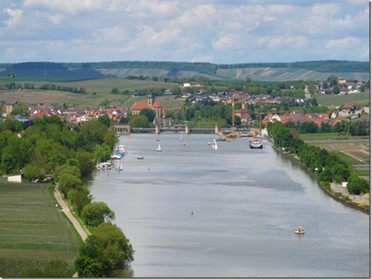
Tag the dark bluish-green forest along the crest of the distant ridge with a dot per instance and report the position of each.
(171, 69)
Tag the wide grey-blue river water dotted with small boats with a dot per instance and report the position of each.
(191, 211)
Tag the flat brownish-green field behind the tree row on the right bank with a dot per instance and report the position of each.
(353, 150)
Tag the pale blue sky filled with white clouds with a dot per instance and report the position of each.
(214, 31)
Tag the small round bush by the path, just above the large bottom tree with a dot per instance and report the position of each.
(96, 213)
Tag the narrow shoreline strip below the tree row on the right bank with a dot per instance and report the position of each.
(347, 200)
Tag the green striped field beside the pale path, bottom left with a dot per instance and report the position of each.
(32, 230)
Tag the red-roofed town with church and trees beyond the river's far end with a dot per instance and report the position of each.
(249, 110)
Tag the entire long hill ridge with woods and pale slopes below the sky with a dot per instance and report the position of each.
(306, 70)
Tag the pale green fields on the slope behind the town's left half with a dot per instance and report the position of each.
(98, 91)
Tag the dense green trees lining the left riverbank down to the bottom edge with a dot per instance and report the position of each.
(50, 149)
